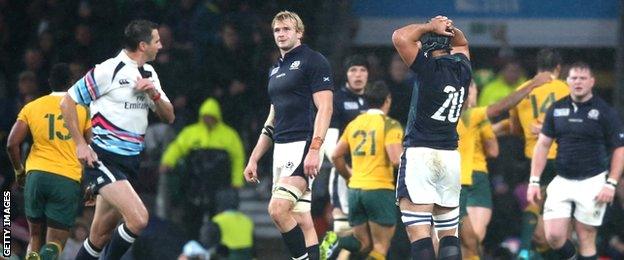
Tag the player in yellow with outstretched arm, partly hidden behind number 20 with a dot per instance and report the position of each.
(468, 128)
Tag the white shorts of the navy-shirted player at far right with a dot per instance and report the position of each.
(562, 193)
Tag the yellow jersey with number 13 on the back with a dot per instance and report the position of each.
(53, 150)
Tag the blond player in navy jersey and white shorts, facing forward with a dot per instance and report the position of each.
(300, 83)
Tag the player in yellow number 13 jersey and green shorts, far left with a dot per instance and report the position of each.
(52, 191)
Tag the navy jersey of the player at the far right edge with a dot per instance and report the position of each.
(585, 134)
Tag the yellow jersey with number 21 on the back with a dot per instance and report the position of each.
(367, 136)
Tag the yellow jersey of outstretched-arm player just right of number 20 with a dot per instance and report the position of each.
(468, 129)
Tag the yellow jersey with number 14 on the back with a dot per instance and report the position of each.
(532, 109)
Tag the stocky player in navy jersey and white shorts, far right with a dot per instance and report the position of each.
(587, 131)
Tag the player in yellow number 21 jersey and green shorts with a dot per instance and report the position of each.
(373, 141)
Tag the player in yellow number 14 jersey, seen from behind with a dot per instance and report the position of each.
(526, 120)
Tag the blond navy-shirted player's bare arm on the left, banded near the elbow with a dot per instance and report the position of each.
(265, 141)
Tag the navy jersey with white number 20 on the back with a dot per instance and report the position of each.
(437, 100)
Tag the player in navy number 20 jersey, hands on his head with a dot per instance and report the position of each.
(428, 183)
